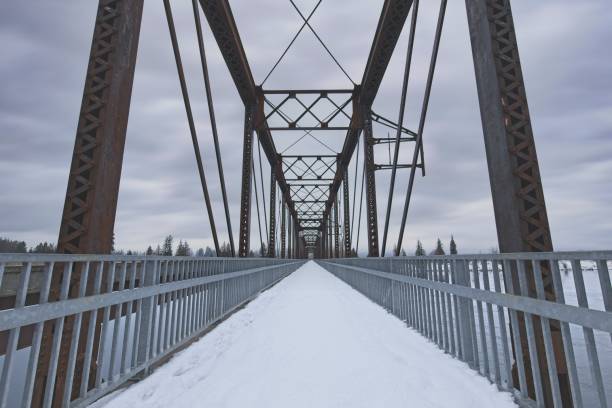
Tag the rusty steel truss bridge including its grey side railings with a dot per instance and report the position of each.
(312, 189)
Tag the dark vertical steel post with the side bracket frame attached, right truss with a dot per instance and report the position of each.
(372, 215)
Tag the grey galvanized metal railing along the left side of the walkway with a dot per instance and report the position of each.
(126, 312)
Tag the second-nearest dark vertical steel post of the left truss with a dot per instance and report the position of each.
(245, 195)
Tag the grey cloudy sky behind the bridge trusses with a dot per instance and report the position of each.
(565, 51)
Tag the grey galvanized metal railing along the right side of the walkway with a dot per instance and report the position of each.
(468, 304)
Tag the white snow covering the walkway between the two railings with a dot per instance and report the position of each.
(311, 341)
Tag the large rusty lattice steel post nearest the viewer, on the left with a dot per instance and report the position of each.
(93, 184)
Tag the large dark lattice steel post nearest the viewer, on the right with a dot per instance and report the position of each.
(518, 197)
